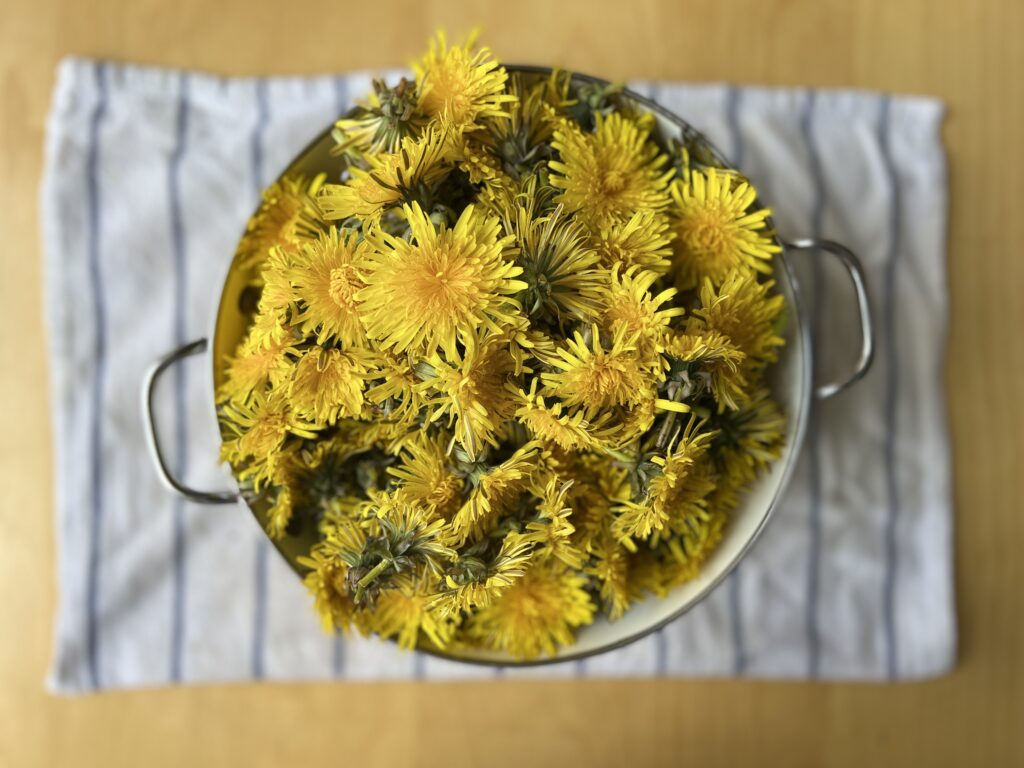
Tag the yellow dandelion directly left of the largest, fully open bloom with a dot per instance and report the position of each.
(326, 279)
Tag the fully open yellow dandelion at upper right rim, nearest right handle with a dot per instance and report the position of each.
(716, 231)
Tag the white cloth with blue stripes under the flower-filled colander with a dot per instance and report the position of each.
(150, 179)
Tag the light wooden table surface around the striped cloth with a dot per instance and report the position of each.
(967, 53)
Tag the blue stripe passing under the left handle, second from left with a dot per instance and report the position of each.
(182, 432)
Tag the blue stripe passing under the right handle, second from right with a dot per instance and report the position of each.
(814, 438)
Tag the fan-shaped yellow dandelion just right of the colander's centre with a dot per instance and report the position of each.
(594, 378)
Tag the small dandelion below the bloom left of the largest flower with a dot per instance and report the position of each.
(327, 386)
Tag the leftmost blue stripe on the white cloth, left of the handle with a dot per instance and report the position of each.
(99, 378)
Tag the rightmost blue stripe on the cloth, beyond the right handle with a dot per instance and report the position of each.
(892, 394)
